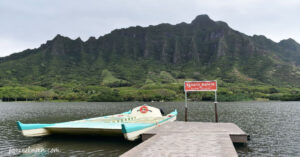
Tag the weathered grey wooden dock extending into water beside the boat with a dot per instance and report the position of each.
(193, 139)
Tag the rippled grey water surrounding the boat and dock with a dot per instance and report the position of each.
(274, 127)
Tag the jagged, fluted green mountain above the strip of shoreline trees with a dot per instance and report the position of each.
(163, 54)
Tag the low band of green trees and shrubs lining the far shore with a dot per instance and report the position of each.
(148, 92)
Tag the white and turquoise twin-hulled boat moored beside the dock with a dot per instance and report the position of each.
(131, 124)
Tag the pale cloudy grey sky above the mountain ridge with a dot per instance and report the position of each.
(29, 23)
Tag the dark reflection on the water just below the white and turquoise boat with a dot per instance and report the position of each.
(62, 145)
